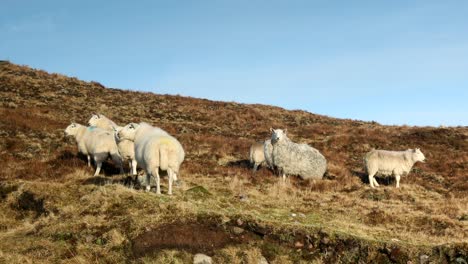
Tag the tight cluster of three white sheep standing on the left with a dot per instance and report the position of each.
(152, 148)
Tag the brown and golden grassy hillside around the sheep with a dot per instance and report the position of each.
(53, 210)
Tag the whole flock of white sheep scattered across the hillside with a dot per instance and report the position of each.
(154, 150)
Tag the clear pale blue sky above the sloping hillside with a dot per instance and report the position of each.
(394, 62)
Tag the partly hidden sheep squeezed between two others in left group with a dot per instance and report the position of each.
(126, 147)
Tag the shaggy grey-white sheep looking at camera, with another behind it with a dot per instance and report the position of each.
(296, 159)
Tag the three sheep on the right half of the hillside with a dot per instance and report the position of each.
(288, 158)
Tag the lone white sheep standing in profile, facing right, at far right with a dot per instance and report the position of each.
(386, 163)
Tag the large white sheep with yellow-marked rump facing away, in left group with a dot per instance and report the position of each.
(155, 150)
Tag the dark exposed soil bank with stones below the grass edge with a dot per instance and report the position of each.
(208, 236)
